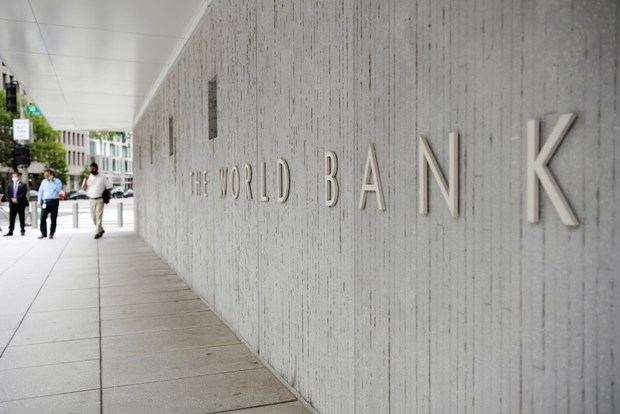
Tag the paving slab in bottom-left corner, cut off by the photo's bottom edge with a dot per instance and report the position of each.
(85, 402)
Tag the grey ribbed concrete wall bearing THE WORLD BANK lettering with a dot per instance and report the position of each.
(367, 311)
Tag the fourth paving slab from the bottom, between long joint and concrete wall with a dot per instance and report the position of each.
(156, 324)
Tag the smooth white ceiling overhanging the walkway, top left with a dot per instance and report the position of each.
(93, 64)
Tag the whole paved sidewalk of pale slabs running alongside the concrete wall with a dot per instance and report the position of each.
(92, 326)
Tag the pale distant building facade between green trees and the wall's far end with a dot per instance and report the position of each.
(115, 158)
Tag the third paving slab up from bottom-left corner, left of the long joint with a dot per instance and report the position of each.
(50, 353)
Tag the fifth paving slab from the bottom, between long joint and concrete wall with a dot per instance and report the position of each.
(152, 309)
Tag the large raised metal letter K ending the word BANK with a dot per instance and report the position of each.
(537, 170)
